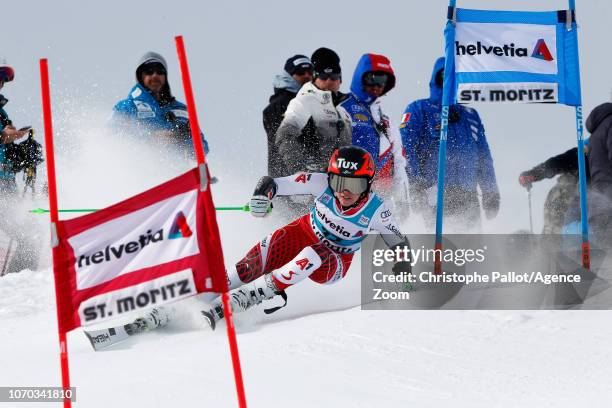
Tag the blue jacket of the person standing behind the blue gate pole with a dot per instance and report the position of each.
(469, 163)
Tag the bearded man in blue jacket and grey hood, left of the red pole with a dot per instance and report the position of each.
(151, 108)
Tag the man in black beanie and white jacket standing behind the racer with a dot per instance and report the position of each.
(312, 127)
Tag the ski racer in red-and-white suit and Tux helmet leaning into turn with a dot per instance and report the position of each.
(319, 245)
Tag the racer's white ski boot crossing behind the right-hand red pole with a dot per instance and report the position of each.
(243, 298)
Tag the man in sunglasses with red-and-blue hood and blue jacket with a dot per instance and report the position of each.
(373, 78)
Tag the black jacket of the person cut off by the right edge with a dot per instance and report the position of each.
(599, 124)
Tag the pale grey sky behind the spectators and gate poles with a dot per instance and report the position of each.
(234, 50)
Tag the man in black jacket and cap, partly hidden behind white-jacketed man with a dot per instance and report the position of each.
(298, 71)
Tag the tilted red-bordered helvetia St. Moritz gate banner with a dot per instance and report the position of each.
(151, 249)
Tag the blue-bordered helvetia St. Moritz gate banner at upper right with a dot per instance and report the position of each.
(512, 56)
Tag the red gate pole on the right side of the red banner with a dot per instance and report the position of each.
(201, 159)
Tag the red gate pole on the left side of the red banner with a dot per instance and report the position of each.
(50, 160)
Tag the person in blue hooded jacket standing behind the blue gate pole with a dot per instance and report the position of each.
(469, 165)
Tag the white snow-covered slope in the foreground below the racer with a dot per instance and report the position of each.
(336, 358)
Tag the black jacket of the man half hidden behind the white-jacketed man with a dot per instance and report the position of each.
(272, 118)
